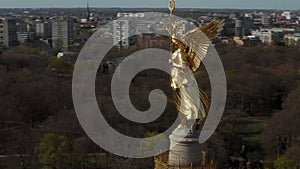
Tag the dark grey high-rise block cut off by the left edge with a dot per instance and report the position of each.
(8, 32)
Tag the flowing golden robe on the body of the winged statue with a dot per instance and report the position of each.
(187, 96)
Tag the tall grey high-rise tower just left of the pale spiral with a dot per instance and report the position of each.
(62, 33)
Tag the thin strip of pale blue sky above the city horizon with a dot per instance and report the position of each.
(248, 4)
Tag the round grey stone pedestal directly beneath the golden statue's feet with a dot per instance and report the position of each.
(185, 150)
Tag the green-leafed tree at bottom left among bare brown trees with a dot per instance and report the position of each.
(52, 151)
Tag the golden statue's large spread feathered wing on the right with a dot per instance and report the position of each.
(198, 41)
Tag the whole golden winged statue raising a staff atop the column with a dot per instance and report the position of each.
(192, 103)
